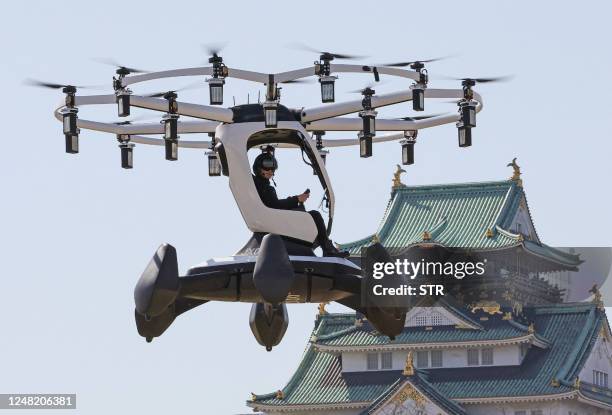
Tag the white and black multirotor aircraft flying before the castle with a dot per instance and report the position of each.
(277, 265)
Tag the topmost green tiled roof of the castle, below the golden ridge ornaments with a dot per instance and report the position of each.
(458, 216)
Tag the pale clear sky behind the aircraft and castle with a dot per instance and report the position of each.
(79, 230)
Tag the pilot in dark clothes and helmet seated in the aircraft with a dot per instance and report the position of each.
(264, 167)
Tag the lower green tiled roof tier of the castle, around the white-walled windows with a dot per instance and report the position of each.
(569, 330)
